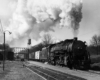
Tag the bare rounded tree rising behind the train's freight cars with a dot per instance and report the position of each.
(47, 39)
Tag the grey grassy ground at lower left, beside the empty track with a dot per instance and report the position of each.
(14, 70)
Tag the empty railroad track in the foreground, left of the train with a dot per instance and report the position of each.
(52, 74)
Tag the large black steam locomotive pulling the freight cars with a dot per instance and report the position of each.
(71, 53)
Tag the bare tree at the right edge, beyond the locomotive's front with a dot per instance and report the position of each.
(95, 41)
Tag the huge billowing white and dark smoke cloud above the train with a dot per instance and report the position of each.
(34, 16)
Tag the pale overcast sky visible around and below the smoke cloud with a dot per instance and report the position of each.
(89, 25)
